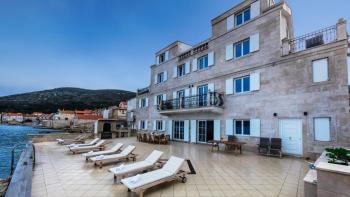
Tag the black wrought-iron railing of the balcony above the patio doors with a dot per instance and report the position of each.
(212, 99)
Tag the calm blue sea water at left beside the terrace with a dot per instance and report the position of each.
(10, 136)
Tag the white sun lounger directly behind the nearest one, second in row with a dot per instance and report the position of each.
(148, 163)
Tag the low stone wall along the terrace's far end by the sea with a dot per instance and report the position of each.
(50, 137)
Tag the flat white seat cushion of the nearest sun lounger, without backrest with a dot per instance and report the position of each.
(146, 178)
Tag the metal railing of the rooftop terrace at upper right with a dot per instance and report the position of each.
(317, 38)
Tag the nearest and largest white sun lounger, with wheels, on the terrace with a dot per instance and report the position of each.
(169, 172)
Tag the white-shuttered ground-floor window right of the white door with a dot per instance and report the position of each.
(322, 129)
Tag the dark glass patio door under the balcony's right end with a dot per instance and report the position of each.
(205, 131)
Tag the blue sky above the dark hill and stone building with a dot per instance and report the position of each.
(110, 44)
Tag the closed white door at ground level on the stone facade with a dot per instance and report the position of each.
(291, 135)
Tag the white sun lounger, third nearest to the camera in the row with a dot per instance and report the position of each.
(126, 154)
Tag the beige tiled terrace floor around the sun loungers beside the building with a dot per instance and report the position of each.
(58, 173)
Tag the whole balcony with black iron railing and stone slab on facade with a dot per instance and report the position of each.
(212, 102)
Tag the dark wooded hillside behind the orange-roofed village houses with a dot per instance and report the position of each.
(49, 101)
